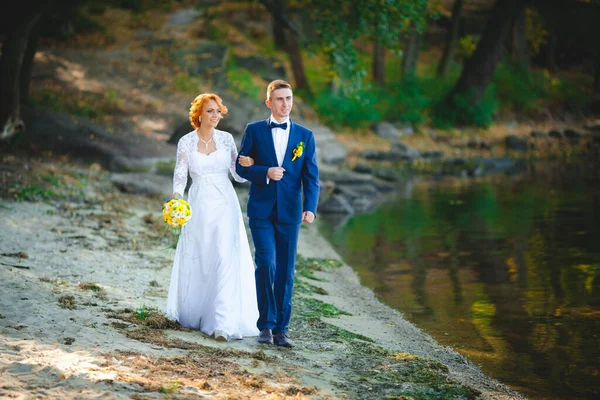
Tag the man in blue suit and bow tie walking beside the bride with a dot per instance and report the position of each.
(284, 192)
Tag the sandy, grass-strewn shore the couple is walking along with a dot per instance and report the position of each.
(83, 265)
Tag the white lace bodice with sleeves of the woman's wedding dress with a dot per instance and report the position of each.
(188, 145)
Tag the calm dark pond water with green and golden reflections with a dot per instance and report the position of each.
(505, 270)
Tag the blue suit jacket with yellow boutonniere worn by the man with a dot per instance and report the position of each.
(297, 191)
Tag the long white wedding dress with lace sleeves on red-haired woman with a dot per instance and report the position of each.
(212, 282)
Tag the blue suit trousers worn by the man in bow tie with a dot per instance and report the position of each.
(275, 246)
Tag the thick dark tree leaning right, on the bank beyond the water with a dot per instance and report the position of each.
(480, 67)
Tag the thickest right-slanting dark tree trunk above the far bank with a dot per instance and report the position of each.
(480, 67)
